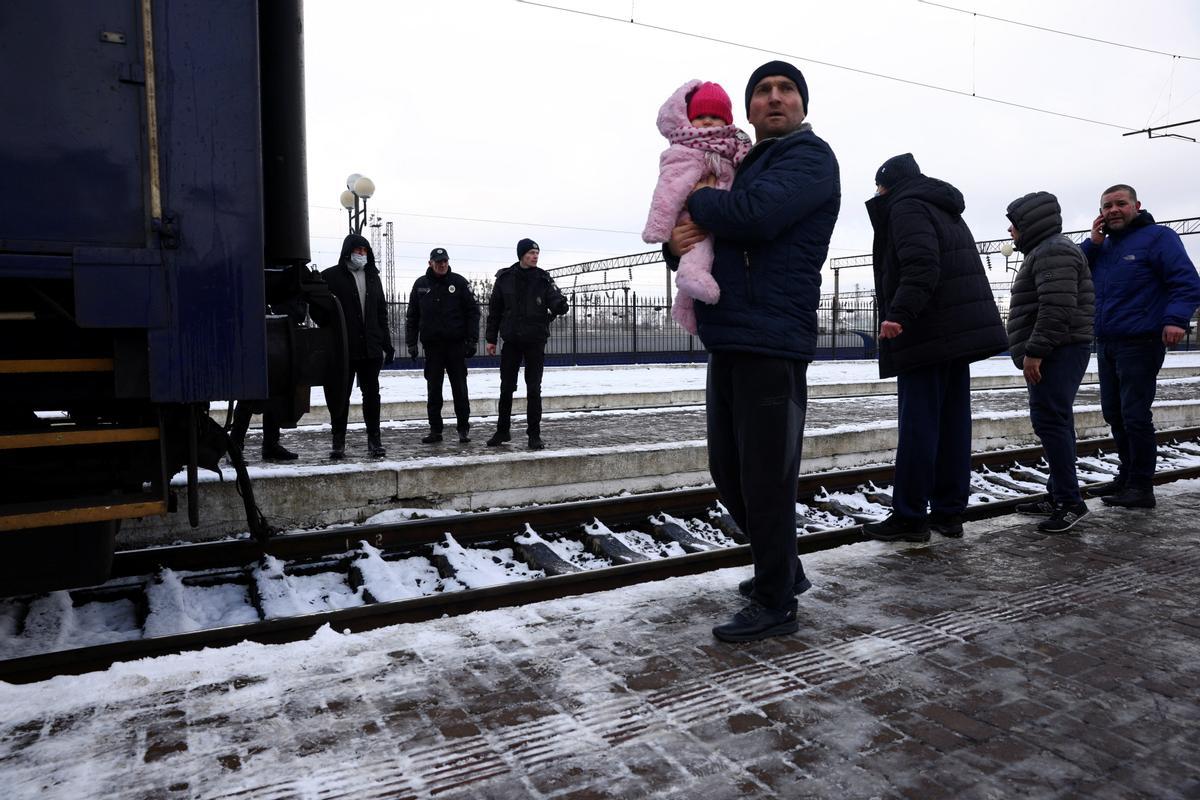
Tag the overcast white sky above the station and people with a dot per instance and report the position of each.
(544, 122)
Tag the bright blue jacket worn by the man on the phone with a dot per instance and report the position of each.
(1144, 281)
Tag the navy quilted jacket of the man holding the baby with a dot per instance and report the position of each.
(772, 234)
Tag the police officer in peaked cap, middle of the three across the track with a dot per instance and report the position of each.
(443, 311)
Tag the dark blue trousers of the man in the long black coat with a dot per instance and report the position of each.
(934, 441)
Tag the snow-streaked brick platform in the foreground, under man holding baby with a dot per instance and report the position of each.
(1007, 664)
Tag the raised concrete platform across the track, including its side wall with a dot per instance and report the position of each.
(589, 455)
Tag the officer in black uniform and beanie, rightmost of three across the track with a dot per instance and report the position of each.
(525, 300)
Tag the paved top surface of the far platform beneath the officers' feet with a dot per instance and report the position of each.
(623, 428)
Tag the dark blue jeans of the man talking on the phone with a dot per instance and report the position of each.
(1129, 381)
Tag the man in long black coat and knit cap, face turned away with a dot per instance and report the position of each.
(938, 316)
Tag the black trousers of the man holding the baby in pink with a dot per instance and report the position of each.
(757, 408)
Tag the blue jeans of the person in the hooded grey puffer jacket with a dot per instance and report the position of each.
(1052, 412)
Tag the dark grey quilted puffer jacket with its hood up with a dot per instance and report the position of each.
(1053, 302)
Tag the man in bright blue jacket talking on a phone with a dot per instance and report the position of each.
(1147, 291)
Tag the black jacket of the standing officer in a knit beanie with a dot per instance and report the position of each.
(524, 302)
